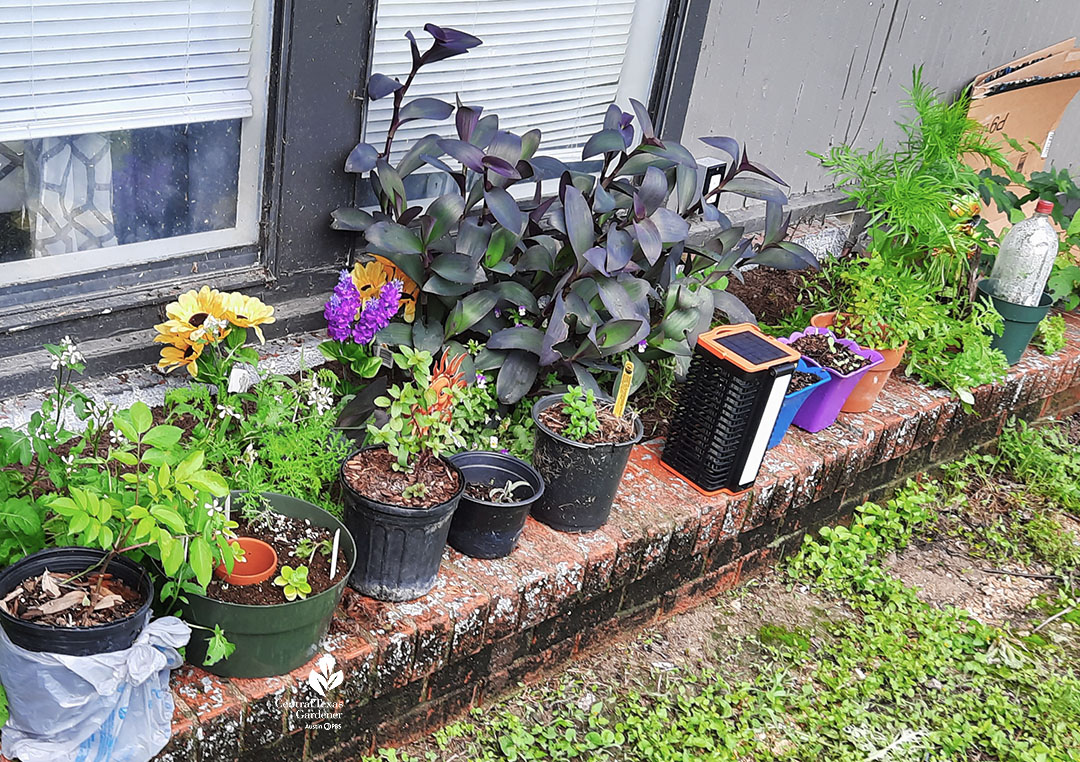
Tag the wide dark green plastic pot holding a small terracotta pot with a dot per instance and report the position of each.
(271, 639)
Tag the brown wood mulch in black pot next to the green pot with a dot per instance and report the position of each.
(372, 474)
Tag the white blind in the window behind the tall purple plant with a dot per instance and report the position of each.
(555, 65)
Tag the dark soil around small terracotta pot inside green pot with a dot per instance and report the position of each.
(283, 534)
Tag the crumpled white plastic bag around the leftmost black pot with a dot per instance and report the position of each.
(112, 707)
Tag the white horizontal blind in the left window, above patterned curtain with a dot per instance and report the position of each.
(70, 67)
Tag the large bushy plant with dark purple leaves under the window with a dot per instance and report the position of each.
(604, 266)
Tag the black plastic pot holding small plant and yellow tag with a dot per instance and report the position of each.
(580, 481)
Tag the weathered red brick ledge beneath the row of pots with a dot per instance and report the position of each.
(489, 625)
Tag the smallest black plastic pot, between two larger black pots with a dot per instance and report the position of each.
(483, 529)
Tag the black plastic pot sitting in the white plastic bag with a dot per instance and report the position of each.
(76, 642)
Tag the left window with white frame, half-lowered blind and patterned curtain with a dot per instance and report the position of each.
(130, 131)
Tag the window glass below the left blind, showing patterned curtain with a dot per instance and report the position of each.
(87, 193)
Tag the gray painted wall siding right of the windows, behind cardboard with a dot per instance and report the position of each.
(792, 76)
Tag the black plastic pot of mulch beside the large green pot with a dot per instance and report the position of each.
(399, 549)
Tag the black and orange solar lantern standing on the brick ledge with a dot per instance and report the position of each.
(727, 409)
